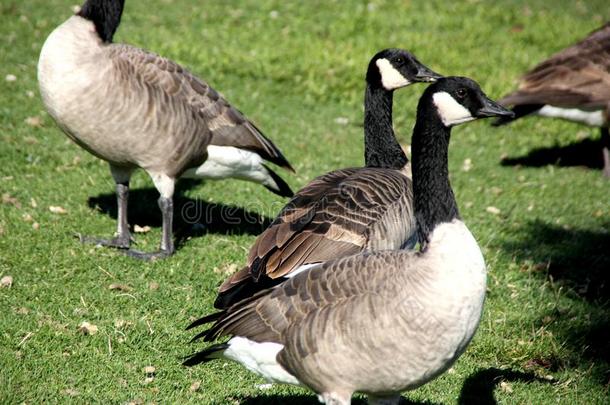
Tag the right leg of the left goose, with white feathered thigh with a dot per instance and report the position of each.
(165, 185)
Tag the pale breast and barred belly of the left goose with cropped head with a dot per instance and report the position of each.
(107, 111)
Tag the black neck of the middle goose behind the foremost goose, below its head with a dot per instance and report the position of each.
(381, 149)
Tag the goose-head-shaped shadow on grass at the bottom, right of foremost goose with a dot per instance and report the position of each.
(479, 387)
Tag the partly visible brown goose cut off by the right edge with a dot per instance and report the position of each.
(573, 84)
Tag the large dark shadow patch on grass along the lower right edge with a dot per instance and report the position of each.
(577, 261)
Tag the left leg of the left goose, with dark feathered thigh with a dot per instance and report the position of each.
(123, 238)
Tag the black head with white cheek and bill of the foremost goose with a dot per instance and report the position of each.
(460, 99)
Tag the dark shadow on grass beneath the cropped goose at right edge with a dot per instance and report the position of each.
(586, 153)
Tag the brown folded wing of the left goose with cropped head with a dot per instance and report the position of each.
(227, 126)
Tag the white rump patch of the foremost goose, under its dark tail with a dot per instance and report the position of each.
(259, 358)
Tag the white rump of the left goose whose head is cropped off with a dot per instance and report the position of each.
(230, 162)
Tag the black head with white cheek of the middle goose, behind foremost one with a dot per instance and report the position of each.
(396, 68)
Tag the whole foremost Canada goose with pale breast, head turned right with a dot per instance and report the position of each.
(382, 322)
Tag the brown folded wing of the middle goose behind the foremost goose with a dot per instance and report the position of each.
(334, 216)
